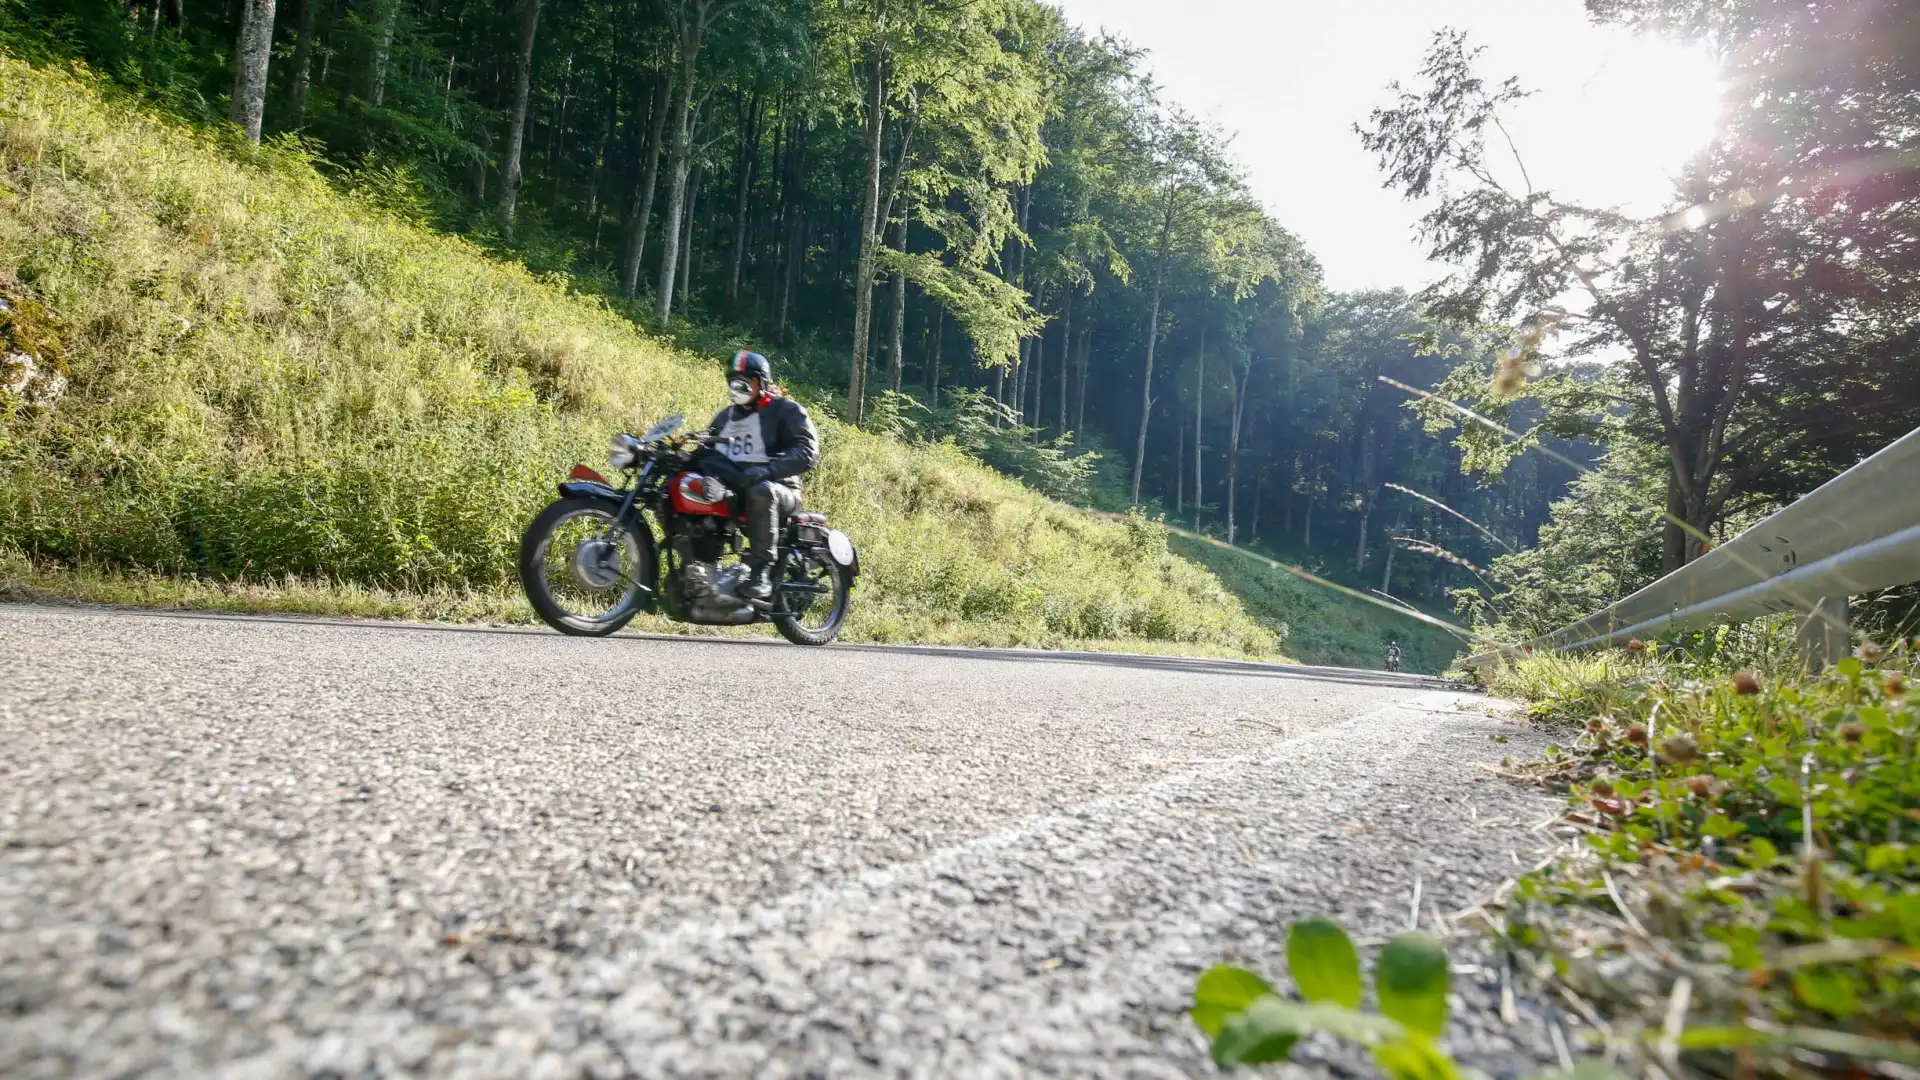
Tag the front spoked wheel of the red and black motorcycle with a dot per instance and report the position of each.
(585, 574)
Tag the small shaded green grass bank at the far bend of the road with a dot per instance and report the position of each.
(1322, 626)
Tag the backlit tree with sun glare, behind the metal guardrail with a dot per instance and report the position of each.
(1739, 385)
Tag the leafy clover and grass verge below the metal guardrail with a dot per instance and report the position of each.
(1746, 893)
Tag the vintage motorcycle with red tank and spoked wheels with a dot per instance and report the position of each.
(606, 552)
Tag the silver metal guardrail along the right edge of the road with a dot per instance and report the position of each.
(1858, 533)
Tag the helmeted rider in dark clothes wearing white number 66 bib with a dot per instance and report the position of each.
(769, 443)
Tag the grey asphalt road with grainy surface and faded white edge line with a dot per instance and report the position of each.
(304, 848)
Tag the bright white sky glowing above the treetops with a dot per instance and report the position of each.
(1612, 120)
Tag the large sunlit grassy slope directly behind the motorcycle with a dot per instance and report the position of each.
(274, 381)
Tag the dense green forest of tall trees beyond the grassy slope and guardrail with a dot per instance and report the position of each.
(978, 222)
